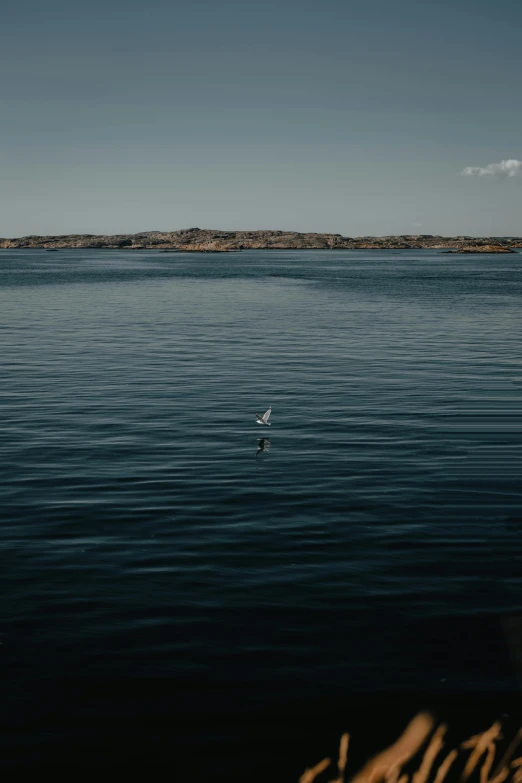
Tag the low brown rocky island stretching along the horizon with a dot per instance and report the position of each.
(211, 241)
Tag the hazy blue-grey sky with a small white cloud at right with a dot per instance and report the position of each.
(357, 117)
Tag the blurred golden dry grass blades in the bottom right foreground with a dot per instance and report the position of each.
(419, 756)
